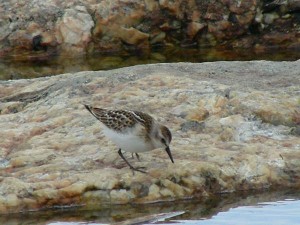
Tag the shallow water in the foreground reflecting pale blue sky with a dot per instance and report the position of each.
(276, 208)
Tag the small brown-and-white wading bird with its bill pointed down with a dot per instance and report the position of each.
(133, 131)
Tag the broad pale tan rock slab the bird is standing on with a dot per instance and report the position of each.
(235, 126)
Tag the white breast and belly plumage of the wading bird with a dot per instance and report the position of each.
(129, 141)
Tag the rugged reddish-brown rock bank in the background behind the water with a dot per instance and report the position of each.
(57, 26)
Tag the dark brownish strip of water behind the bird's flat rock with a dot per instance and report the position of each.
(30, 66)
